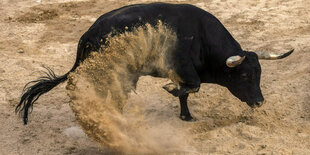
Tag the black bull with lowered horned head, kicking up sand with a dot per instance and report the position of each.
(205, 53)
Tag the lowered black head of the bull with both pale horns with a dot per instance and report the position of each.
(244, 76)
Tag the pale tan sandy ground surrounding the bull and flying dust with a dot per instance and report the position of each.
(35, 33)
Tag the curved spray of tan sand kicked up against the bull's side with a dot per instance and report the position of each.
(100, 87)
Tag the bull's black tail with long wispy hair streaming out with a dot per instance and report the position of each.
(34, 89)
